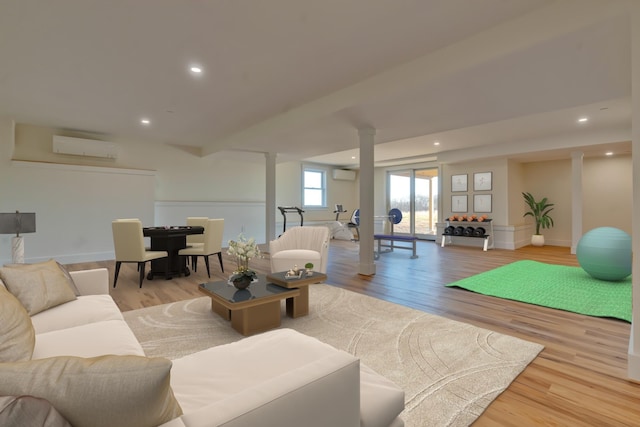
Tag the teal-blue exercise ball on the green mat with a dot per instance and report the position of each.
(605, 253)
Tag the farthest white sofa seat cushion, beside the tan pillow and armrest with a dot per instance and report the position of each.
(83, 310)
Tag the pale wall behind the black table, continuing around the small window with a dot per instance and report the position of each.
(76, 198)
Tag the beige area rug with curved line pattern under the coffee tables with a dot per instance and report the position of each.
(450, 371)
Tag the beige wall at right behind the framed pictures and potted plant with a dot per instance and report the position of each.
(607, 186)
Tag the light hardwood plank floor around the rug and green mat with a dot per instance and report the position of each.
(579, 379)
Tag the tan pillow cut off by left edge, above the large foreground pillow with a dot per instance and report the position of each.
(16, 330)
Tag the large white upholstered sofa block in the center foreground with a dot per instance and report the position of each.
(293, 382)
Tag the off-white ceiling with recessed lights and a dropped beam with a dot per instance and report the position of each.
(299, 77)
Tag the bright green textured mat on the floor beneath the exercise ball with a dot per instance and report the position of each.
(556, 286)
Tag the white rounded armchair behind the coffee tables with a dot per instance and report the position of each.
(298, 246)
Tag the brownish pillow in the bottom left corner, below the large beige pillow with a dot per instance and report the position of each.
(29, 411)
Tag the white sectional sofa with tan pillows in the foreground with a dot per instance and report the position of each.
(279, 378)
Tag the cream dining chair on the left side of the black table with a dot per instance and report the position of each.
(128, 242)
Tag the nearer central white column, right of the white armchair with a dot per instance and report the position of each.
(367, 265)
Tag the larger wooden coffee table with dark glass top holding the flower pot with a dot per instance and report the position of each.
(252, 310)
